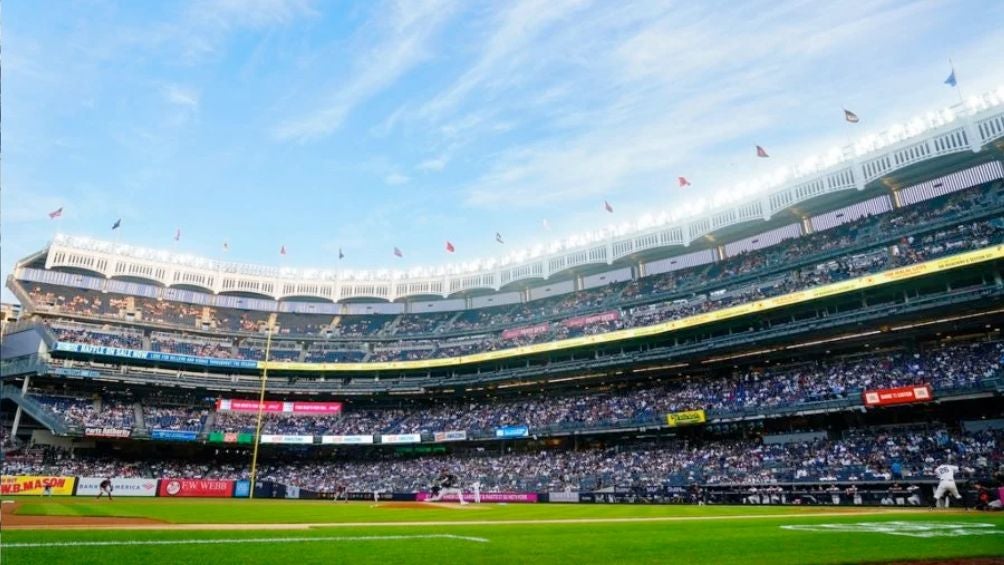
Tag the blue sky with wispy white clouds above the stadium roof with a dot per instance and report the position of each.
(367, 126)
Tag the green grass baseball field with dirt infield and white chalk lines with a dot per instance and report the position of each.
(51, 531)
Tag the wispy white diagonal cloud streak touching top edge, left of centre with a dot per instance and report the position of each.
(404, 46)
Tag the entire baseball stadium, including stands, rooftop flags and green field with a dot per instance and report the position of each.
(805, 371)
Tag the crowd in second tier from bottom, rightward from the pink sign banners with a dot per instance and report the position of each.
(946, 368)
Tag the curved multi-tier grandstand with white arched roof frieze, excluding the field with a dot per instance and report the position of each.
(838, 330)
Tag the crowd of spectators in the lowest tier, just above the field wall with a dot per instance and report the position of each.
(898, 454)
